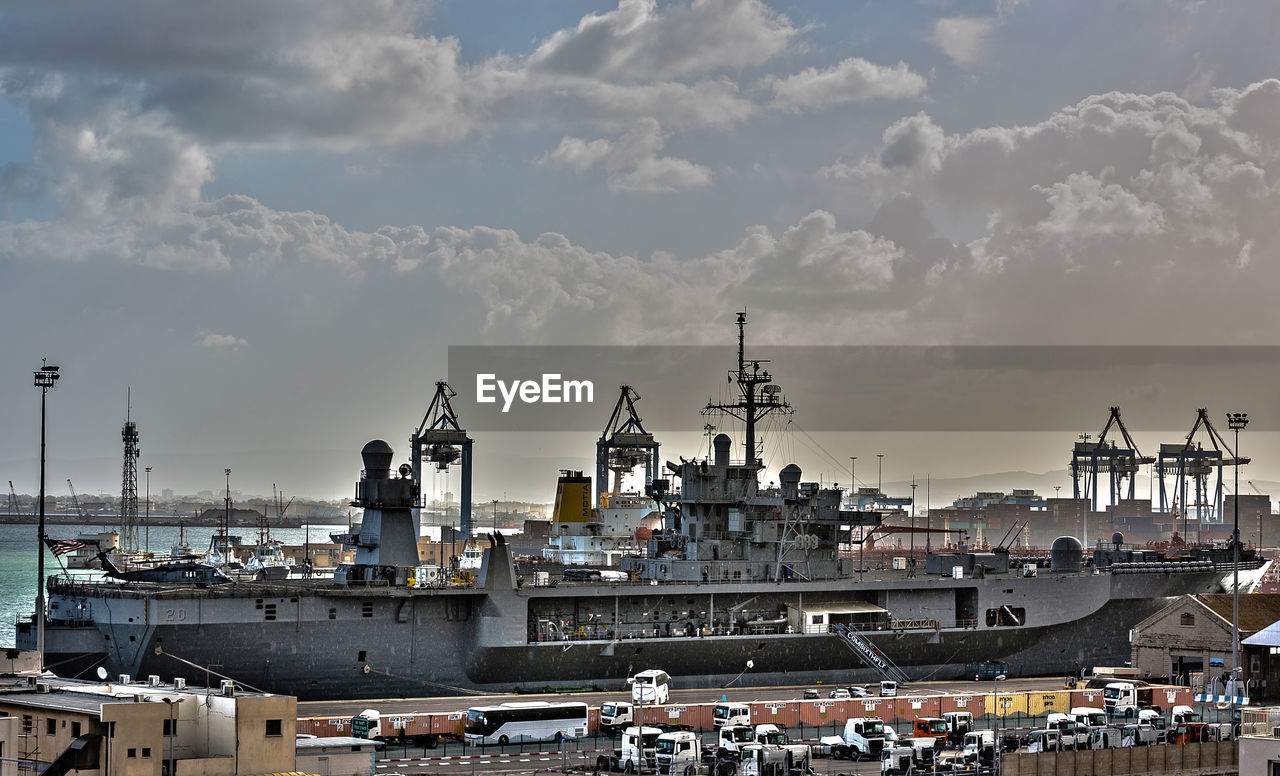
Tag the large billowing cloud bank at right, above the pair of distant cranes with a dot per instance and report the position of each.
(1126, 200)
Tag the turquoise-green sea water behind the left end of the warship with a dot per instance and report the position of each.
(19, 558)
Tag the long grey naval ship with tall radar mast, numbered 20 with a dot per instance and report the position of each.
(743, 583)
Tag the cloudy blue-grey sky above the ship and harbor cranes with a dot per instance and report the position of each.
(268, 223)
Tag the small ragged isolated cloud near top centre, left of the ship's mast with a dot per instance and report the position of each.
(632, 162)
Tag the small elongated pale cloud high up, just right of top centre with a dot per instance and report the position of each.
(853, 80)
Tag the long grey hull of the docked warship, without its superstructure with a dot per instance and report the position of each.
(323, 643)
